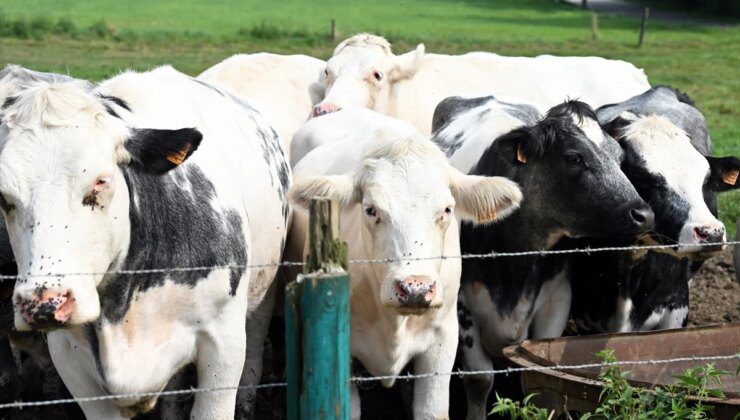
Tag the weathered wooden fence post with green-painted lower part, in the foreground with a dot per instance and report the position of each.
(317, 323)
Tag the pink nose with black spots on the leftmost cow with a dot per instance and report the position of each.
(51, 309)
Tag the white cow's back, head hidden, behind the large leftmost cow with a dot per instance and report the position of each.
(283, 87)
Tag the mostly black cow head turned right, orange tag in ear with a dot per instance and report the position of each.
(572, 185)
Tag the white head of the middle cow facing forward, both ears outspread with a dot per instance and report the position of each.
(405, 197)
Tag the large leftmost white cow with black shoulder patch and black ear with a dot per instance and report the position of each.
(145, 171)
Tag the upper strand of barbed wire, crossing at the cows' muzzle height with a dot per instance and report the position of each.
(379, 260)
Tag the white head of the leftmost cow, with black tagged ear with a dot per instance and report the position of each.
(63, 151)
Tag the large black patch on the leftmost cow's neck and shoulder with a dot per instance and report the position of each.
(172, 226)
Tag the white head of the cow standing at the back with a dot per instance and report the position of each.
(362, 70)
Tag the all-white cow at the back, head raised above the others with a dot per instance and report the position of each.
(363, 71)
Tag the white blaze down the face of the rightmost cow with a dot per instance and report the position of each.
(667, 151)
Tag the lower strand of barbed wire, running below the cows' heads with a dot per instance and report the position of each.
(360, 379)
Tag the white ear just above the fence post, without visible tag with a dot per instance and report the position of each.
(329, 187)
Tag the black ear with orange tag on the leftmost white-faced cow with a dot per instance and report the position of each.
(158, 151)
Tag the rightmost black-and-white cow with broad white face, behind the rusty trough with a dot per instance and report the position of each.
(667, 157)
